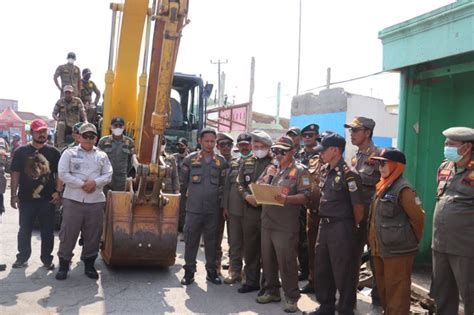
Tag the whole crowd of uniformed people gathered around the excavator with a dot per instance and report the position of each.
(326, 212)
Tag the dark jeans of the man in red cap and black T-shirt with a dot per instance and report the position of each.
(29, 211)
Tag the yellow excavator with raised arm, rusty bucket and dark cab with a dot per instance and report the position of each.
(141, 223)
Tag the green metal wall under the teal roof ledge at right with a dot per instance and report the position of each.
(431, 100)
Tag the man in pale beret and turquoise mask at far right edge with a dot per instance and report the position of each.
(453, 224)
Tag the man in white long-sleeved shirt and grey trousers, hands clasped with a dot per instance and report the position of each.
(85, 170)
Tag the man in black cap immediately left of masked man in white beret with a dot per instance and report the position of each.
(234, 204)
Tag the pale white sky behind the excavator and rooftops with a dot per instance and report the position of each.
(35, 37)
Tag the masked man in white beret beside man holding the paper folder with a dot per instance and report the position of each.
(249, 173)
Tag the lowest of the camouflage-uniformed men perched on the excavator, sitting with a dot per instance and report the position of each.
(67, 112)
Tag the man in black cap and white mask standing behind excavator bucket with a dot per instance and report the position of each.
(120, 150)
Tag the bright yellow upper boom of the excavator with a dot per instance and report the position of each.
(121, 95)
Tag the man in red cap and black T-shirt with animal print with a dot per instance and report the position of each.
(34, 176)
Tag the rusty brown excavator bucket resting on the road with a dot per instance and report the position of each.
(139, 235)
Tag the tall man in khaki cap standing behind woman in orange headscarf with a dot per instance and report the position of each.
(361, 130)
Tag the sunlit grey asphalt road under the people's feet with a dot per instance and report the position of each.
(34, 290)
